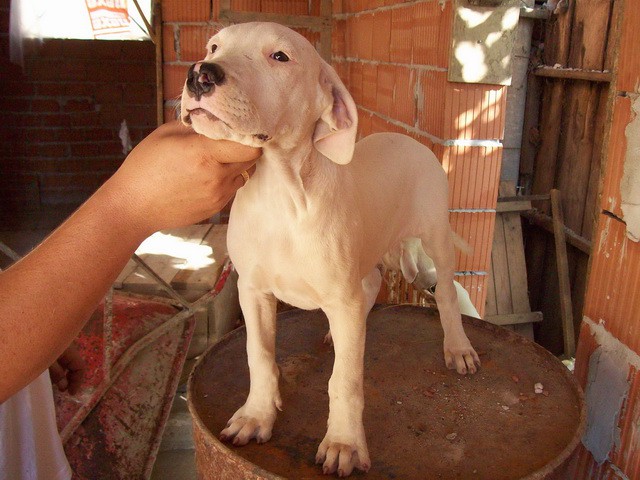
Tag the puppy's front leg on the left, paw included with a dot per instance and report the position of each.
(256, 417)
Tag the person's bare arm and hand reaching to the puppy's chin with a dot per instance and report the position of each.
(174, 177)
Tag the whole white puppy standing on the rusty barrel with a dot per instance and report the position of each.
(314, 222)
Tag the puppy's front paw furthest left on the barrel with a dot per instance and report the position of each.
(246, 425)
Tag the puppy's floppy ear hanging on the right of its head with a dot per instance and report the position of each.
(335, 132)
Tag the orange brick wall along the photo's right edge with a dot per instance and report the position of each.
(611, 325)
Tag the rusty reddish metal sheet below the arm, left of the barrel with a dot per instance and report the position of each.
(134, 357)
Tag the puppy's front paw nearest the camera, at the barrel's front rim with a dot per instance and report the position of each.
(342, 457)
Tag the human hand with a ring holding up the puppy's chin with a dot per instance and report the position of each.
(176, 177)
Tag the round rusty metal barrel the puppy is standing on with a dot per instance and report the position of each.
(520, 417)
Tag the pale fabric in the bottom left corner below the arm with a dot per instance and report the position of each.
(30, 446)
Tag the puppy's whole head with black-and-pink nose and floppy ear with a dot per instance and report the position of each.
(262, 84)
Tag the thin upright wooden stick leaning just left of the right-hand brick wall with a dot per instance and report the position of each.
(563, 275)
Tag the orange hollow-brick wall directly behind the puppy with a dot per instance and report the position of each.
(393, 57)
